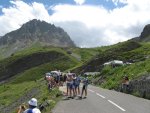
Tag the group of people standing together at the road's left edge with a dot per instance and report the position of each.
(70, 80)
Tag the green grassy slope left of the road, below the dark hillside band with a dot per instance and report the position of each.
(23, 83)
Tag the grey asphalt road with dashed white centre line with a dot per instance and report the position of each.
(104, 101)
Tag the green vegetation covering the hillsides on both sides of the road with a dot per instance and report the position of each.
(20, 84)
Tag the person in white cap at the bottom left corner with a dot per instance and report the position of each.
(32, 107)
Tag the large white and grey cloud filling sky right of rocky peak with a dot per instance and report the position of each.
(110, 27)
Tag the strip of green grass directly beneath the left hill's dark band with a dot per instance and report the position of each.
(39, 71)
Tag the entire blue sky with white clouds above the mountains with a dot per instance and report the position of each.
(89, 23)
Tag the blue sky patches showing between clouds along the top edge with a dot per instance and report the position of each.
(107, 4)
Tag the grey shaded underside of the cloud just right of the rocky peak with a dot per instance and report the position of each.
(82, 35)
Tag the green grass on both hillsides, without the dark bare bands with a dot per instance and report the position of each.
(33, 77)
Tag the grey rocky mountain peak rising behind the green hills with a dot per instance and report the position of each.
(37, 31)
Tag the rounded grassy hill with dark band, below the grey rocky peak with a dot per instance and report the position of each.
(24, 60)
